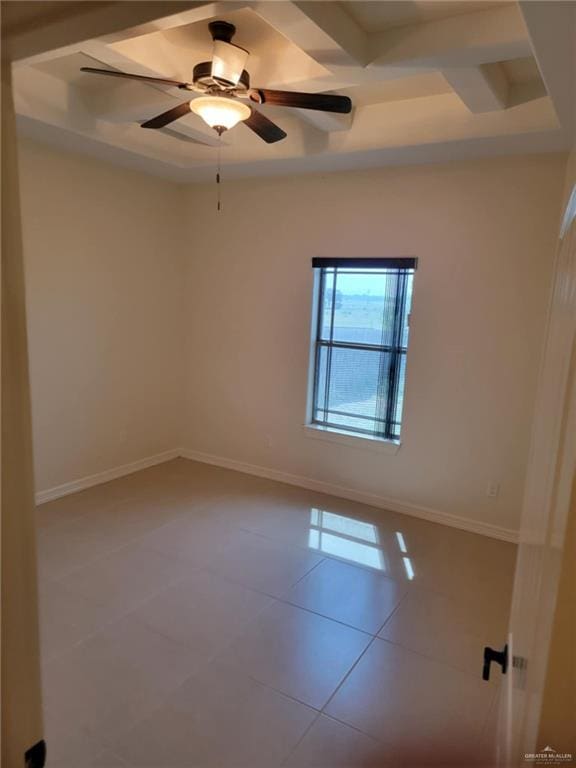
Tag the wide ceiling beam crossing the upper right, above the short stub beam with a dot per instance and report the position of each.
(470, 39)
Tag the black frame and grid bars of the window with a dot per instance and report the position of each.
(385, 425)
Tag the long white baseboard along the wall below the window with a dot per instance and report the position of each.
(393, 505)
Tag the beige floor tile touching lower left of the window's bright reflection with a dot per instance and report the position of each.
(264, 565)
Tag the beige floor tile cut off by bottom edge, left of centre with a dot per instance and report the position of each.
(219, 718)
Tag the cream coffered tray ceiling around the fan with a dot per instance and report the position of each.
(428, 80)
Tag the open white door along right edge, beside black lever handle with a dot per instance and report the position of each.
(551, 468)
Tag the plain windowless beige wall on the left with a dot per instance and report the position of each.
(102, 249)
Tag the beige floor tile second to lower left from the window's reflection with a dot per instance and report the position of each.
(204, 612)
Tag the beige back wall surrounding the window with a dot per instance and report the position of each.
(484, 233)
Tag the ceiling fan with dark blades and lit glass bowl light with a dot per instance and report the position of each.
(224, 86)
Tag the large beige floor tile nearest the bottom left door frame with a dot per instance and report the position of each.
(115, 678)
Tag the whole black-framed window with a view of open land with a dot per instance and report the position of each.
(360, 344)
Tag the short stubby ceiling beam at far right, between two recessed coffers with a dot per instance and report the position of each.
(482, 89)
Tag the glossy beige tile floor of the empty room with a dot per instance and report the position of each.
(194, 617)
